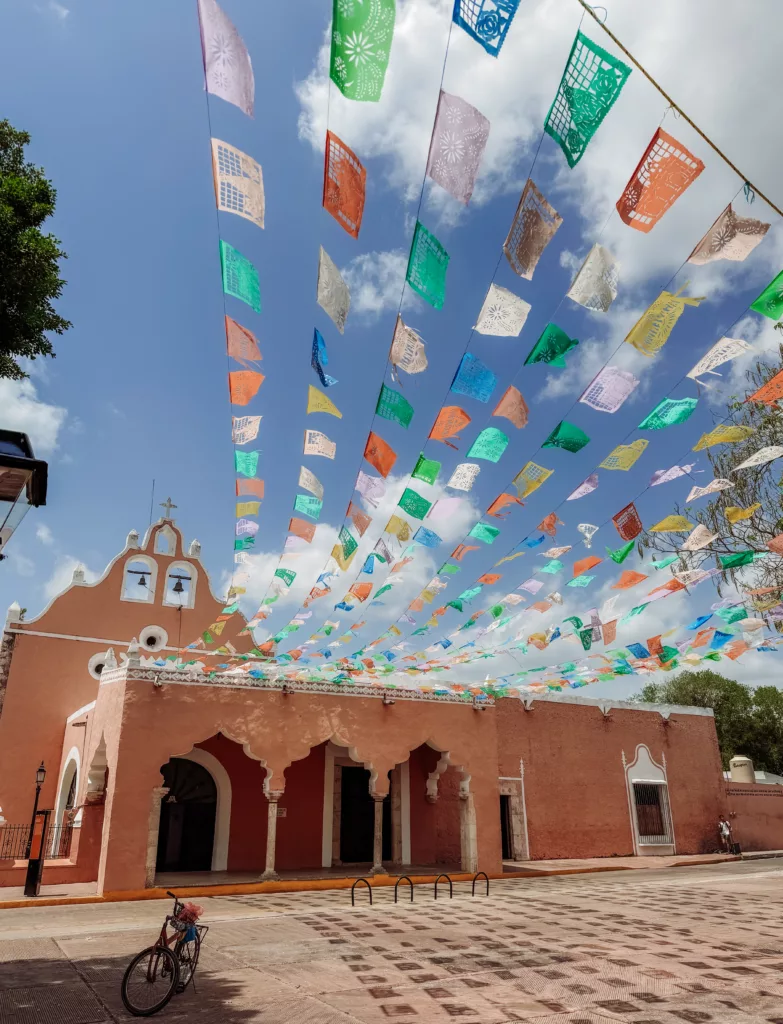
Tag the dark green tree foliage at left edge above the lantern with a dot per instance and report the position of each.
(29, 260)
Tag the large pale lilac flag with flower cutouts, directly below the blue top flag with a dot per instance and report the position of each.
(459, 138)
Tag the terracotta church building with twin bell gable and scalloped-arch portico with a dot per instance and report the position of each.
(164, 775)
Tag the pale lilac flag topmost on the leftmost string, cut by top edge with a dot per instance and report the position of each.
(228, 69)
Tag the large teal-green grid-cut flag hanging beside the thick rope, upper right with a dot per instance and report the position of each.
(592, 81)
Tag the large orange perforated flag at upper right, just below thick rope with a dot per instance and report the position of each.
(664, 174)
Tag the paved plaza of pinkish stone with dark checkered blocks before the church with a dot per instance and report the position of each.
(668, 947)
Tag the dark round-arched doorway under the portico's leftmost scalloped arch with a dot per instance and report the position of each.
(187, 835)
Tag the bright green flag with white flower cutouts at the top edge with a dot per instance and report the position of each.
(362, 39)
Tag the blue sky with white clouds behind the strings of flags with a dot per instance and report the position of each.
(117, 112)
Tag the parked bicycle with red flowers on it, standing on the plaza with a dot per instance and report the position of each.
(168, 966)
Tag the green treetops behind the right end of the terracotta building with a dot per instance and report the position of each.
(749, 720)
